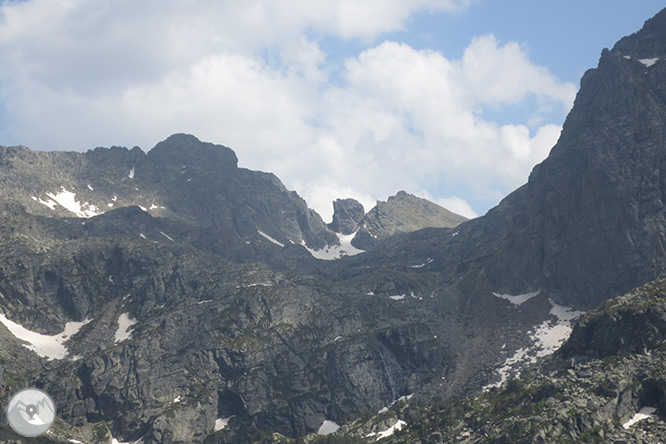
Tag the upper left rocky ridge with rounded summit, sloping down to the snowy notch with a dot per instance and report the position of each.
(181, 178)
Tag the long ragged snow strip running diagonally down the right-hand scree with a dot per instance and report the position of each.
(546, 339)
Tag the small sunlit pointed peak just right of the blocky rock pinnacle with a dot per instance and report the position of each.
(402, 213)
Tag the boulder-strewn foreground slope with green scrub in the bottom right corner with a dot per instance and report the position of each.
(606, 384)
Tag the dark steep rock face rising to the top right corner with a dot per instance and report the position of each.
(590, 223)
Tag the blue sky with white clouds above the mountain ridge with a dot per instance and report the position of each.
(452, 100)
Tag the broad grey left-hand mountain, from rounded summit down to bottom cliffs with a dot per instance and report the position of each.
(142, 291)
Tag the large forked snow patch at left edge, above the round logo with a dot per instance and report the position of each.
(50, 347)
